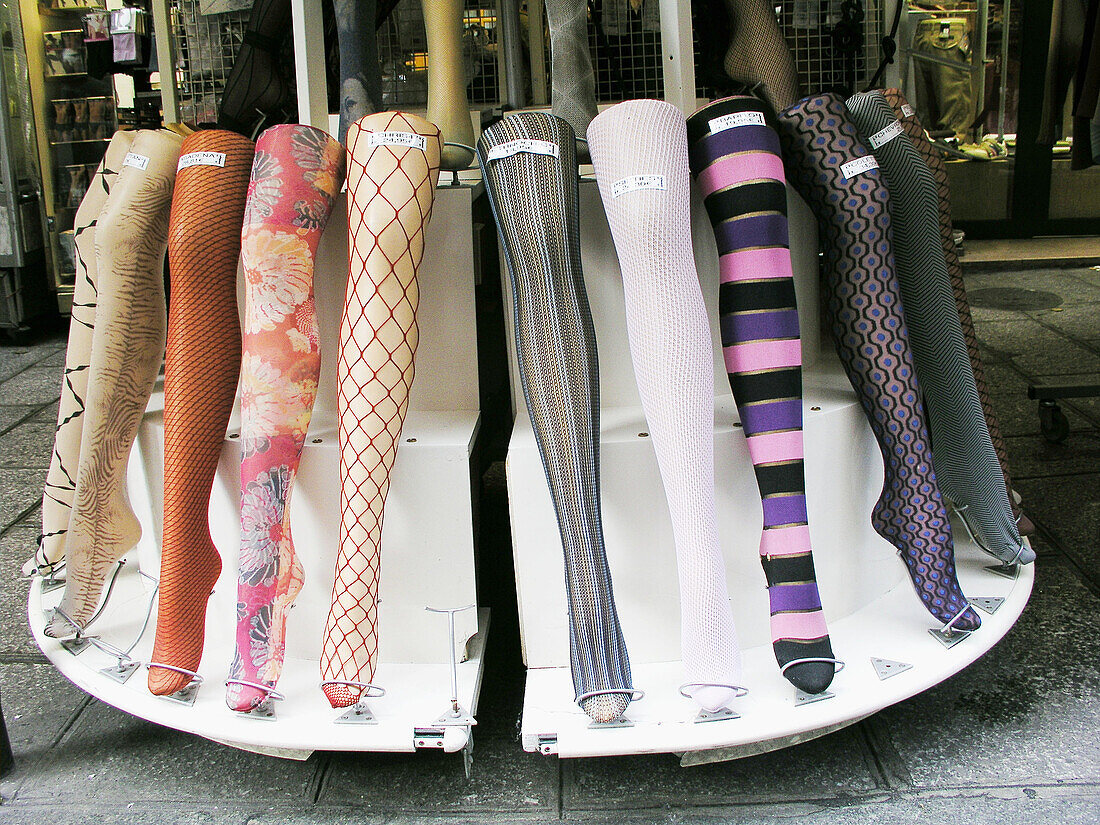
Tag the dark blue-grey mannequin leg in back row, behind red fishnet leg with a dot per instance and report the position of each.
(360, 72)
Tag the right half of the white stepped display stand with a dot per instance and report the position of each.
(868, 600)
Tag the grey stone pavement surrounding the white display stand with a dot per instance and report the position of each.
(1015, 739)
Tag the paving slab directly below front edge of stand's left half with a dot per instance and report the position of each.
(108, 756)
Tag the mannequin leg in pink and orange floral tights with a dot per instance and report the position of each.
(296, 177)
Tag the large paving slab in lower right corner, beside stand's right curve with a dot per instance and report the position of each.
(1028, 712)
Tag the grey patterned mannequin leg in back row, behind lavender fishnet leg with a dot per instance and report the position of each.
(573, 80)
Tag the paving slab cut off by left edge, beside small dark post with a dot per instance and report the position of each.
(39, 703)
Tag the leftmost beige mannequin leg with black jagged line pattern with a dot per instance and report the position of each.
(61, 478)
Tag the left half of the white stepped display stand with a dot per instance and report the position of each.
(427, 557)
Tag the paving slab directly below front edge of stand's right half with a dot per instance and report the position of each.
(827, 768)
